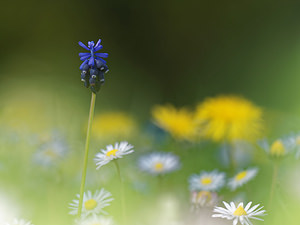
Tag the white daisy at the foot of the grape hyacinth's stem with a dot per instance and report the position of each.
(92, 203)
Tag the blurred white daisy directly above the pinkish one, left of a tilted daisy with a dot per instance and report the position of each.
(207, 181)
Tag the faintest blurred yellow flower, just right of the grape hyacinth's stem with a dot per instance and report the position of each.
(113, 125)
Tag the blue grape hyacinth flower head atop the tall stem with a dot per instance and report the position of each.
(93, 67)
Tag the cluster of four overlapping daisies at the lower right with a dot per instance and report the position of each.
(204, 188)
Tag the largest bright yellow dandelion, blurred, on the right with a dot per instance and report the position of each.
(229, 118)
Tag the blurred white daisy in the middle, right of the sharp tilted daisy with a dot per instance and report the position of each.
(159, 163)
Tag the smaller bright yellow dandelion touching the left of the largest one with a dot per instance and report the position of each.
(179, 123)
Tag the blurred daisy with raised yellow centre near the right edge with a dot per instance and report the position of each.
(278, 148)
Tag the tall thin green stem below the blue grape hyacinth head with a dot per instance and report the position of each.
(87, 144)
